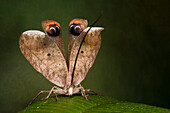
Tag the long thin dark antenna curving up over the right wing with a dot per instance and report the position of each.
(82, 44)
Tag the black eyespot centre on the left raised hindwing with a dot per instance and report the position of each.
(54, 30)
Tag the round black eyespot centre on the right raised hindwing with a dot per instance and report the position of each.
(75, 29)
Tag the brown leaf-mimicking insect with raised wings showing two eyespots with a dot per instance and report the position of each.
(45, 52)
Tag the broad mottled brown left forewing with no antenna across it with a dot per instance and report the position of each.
(44, 55)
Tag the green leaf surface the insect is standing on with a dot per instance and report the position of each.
(98, 103)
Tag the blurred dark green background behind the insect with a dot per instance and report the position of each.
(132, 64)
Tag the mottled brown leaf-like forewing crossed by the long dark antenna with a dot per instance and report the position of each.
(87, 55)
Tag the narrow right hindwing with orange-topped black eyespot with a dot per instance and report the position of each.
(74, 33)
